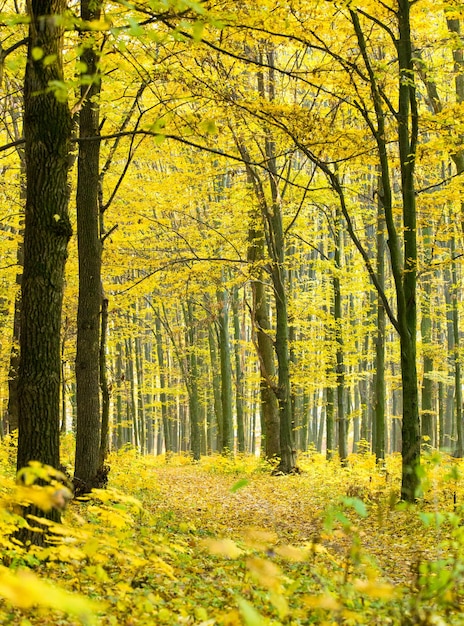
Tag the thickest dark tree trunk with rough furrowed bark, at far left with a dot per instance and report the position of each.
(47, 133)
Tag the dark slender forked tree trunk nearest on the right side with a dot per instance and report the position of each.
(402, 242)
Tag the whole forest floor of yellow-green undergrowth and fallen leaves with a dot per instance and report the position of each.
(224, 541)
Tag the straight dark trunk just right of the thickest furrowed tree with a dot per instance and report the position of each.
(88, 435)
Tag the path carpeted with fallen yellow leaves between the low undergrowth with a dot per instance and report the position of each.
(293, 510)
